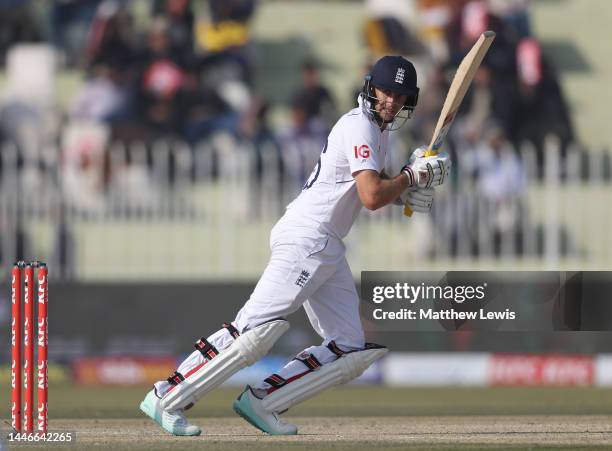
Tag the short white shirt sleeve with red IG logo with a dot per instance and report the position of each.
(361, 145)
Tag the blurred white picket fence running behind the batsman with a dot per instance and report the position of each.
(168, 211)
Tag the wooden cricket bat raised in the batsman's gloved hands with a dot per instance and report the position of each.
(459, 86)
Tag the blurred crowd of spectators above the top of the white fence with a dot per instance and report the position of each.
(186, 70)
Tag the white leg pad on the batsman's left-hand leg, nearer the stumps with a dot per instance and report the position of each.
(247, 349)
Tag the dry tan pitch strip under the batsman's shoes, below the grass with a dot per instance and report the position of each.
(499, 432)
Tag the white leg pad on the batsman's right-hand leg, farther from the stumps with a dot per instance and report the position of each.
(340, 371)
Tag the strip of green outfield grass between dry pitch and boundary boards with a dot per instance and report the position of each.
(67, 401)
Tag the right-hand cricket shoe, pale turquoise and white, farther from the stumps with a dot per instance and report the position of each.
(249, 407)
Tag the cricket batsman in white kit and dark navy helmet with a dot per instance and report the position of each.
(308, 268)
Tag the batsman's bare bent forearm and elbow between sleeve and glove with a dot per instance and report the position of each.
(375, 191)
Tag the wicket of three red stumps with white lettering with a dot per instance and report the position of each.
(27, 327)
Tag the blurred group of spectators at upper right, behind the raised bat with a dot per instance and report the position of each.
(516, 92)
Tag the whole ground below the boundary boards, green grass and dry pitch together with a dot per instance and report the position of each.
(352, 418)
